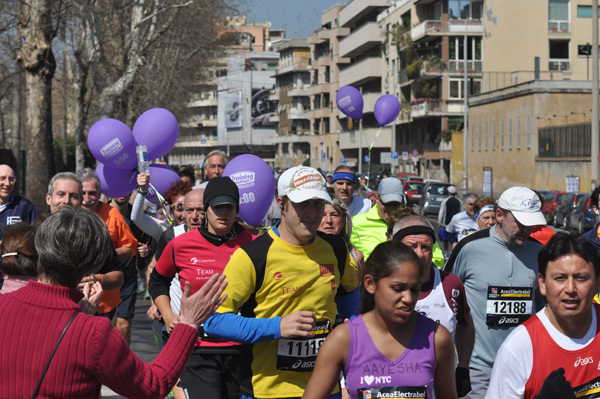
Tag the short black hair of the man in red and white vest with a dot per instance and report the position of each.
(562, 244)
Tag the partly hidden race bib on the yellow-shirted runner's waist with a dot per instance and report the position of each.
(300, 354)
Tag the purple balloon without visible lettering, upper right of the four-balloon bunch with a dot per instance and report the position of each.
(158, 130)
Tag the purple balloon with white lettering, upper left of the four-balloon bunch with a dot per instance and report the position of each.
(110, 141)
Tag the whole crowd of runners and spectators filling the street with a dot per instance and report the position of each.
(341, 293)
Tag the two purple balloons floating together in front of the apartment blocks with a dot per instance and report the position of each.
(350, 102)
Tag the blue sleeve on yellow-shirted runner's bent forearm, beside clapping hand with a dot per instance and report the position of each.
(245, 330)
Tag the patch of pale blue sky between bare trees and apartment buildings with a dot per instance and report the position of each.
(299, 17)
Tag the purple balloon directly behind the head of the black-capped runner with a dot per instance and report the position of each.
(256, 183)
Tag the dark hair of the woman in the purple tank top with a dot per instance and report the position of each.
(382, 263)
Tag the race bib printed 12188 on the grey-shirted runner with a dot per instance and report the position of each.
(508, 306)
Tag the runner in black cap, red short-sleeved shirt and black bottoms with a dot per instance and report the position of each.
(213, 369)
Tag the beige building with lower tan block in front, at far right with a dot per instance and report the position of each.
(534, 112)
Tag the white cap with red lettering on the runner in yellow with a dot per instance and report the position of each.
(302, 183)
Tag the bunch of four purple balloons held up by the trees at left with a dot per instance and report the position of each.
(113, 144)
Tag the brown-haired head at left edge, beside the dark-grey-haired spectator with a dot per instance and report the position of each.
(19, 256)
